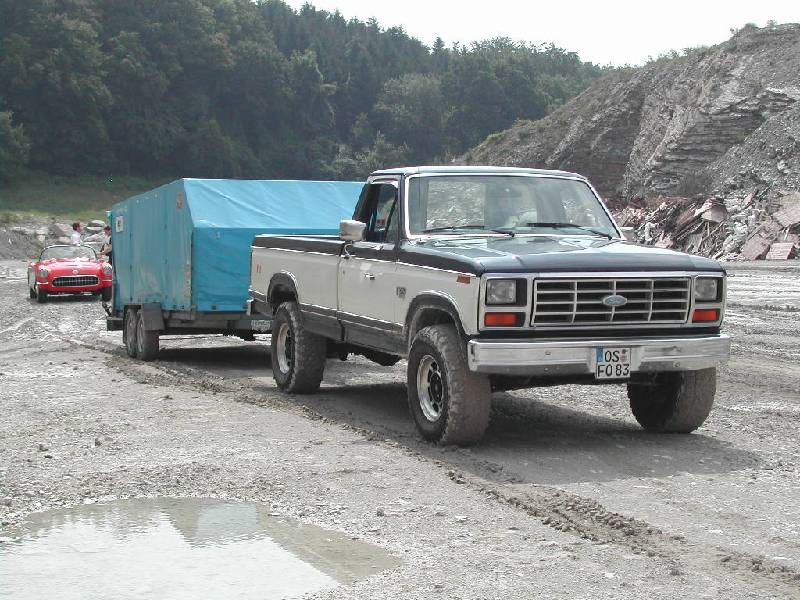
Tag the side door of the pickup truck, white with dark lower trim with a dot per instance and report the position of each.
(368, 270)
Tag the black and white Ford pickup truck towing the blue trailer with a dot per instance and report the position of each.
(488, 279)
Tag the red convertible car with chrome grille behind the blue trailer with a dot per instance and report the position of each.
(69, 270)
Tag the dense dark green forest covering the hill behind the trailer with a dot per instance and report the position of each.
(236, 88)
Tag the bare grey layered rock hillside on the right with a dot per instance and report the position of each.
(720, 120)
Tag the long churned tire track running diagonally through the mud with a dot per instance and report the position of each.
(563, 511)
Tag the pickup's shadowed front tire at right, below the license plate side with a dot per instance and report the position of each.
(673, 402)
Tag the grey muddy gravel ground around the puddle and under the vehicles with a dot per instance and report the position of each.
(566, 497)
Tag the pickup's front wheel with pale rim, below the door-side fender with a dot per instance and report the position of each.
(449, 403)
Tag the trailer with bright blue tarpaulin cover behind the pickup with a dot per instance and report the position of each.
(181, 252)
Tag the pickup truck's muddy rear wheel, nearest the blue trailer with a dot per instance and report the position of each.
(298, 356)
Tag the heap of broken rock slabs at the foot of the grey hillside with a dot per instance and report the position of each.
(754, 227)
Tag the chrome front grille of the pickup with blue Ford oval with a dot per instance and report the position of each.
(579, 302)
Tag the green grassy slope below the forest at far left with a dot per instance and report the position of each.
(80, 198)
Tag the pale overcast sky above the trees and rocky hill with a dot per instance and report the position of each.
(605, 32)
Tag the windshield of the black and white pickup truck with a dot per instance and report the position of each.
(514, 204)
